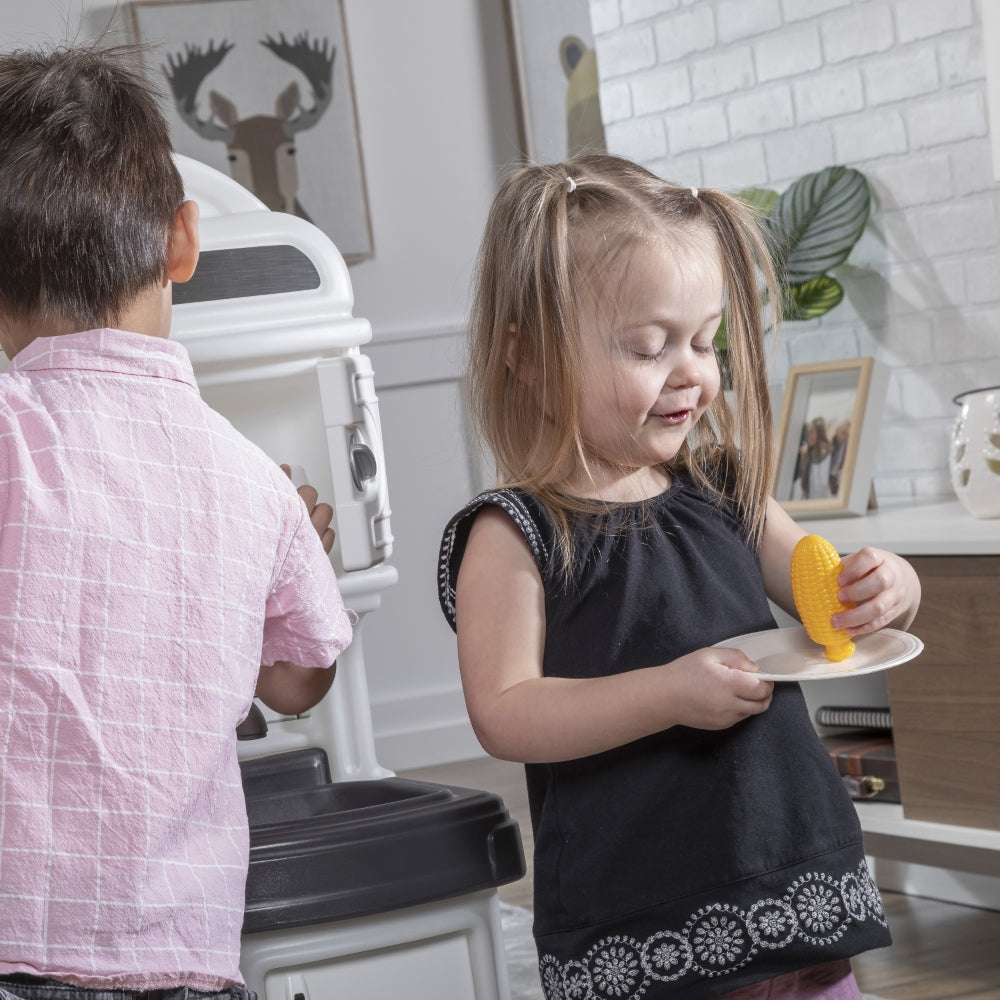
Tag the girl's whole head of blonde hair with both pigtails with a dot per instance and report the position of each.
(553, 230)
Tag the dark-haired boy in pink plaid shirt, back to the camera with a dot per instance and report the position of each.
(151, 559)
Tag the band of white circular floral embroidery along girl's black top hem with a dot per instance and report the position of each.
(718, 939)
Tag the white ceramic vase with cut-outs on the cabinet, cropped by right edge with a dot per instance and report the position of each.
(975, 452)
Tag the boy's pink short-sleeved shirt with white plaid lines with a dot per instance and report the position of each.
(151, 558)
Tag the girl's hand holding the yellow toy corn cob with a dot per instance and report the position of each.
(884, 587)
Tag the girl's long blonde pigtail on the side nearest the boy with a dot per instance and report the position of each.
(523, 371)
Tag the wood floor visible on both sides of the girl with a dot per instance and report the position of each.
(940, 951)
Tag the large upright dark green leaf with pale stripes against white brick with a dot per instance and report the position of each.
(818, 219)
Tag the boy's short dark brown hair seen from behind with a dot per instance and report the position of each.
(88, 188)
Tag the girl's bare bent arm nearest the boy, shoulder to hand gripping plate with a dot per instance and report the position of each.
(518, 714)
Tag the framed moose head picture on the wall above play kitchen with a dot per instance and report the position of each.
(262, 91)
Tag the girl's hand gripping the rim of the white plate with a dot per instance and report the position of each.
(715, 688)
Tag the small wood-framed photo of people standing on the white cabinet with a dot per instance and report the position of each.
(827, 433)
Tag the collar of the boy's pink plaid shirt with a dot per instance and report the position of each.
(107, 350)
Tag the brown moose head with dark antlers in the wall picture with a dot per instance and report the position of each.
(261, 148)
